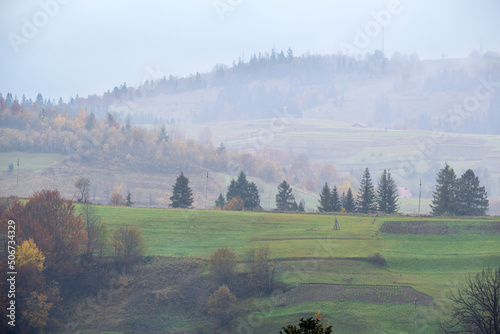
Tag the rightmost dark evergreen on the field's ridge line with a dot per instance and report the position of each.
(472, 199)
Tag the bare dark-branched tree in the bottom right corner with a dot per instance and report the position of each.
(475, 305)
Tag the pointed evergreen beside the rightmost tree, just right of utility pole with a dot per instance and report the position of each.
(444, 201)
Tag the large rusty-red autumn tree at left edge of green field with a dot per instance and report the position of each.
(52, 223)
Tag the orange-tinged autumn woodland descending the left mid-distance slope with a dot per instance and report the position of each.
(119, 144)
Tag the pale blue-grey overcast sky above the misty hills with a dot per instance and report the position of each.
(62, 48)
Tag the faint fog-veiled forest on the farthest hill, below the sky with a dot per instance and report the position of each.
(249, 89)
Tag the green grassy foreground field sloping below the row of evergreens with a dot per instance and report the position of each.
(308, 250)
